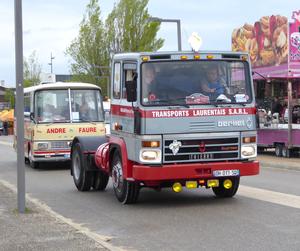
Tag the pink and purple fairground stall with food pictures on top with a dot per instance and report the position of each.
(273, 45)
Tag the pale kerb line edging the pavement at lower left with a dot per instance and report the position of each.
(101, 239)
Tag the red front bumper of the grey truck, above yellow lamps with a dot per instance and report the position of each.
(191, 171)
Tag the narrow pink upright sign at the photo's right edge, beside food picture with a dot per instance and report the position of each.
(295, 38)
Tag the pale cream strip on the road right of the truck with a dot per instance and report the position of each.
(284, 199)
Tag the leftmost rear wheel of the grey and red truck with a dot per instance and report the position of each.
(82, 178)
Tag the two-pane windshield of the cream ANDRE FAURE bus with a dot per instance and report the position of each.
(53, 106)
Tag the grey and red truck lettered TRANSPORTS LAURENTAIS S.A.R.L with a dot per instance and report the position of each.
(181, 133)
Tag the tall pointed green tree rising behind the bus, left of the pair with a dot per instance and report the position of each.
(89, 51)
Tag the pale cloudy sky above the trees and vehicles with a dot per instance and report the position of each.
(49, 26)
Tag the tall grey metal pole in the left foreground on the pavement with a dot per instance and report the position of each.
(19, 105)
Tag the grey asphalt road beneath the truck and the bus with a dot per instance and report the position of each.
(264, 215)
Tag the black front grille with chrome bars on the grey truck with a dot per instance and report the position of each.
(202, 150)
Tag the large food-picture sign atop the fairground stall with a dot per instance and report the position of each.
(266, 41)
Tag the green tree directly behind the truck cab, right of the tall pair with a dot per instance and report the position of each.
(128, 28)
